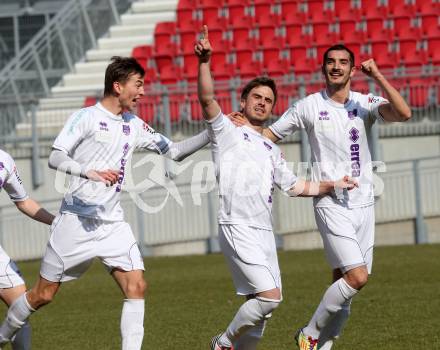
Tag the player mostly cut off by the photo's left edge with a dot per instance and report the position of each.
(12, 285)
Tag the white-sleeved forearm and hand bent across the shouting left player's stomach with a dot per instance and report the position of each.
(60, 161)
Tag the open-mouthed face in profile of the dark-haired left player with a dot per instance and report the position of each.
(130, 92)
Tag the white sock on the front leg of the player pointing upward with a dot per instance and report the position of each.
(248, 315)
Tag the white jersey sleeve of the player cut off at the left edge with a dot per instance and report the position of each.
(10, 179)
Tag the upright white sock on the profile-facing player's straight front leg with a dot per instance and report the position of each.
(132, 324)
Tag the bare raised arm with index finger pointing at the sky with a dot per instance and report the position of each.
(205, 86)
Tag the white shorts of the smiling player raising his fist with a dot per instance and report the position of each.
(348, 236)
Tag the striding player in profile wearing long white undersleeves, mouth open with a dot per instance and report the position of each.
(95, 146)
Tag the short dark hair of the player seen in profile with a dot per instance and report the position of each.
(119, 70)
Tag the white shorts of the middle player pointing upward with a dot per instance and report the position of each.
(252, 258)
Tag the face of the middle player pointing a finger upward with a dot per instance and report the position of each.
(257, 106)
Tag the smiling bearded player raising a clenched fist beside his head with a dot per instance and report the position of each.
(337, 121)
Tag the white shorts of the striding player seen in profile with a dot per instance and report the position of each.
(76, 240)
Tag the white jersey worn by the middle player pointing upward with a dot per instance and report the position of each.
(248, 165)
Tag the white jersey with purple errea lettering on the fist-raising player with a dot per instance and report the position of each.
(338, 141)
